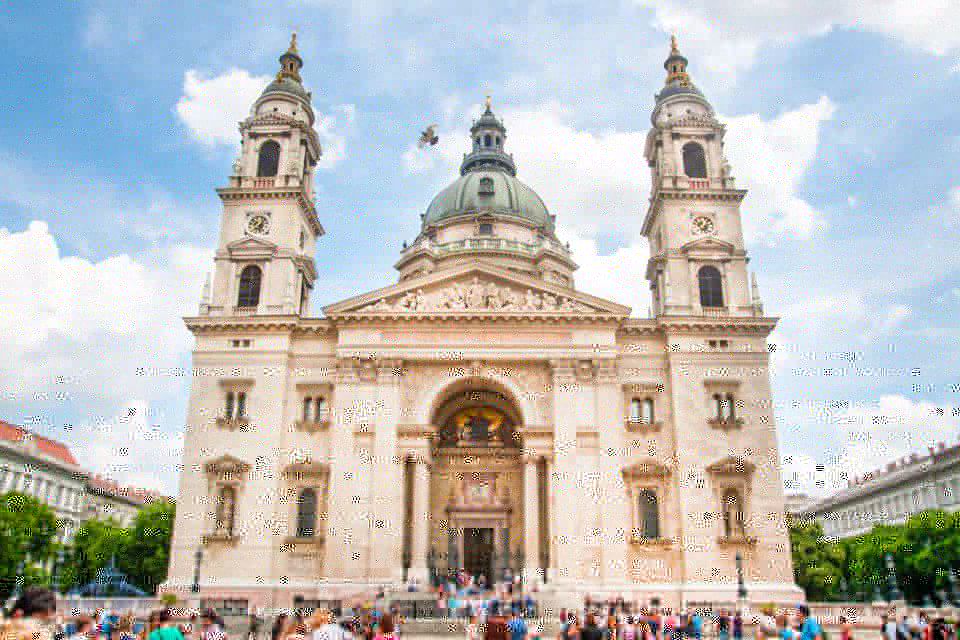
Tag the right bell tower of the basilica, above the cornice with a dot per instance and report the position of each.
(698, 262)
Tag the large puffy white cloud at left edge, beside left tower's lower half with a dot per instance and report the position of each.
(93, 323)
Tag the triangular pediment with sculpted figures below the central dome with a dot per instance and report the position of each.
(476, 290)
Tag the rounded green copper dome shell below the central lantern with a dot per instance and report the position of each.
(488, 190)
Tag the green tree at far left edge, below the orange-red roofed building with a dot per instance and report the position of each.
(28, 530)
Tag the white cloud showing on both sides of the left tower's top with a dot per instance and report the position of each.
(212, 107)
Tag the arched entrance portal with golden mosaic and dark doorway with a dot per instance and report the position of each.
(476, 485)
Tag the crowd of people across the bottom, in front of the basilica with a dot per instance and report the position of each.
(492, 612)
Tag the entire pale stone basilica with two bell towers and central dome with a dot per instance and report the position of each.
(481, 412)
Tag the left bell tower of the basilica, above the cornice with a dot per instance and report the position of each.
(269, 226)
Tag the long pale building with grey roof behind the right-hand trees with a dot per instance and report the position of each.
(893, 494)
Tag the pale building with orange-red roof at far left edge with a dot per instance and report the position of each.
(44, 469)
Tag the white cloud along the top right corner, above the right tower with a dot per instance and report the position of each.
(728, 35)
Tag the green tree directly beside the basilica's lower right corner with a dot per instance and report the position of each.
(817, 562)
